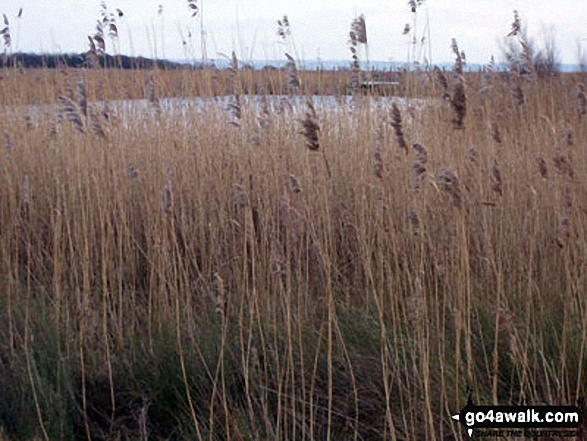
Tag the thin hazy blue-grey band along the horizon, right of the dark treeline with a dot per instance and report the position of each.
(222, 63)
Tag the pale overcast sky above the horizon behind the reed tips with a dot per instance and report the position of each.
(319, 27)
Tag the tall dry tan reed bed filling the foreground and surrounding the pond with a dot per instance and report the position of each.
(297, 276)
